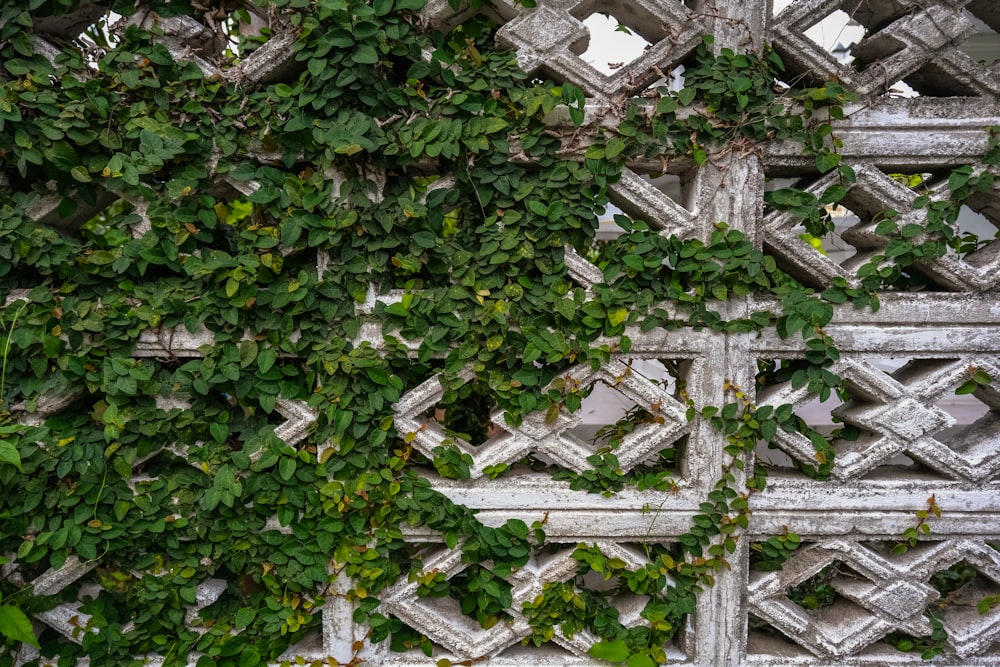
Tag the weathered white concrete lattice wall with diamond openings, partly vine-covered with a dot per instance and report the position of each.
(902, 363)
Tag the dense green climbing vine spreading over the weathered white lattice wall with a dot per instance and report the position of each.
(219, 284)
